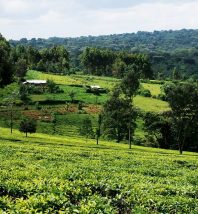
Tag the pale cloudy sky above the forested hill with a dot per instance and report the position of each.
(73, 18)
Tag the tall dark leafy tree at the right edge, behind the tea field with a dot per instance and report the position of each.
(183, 100)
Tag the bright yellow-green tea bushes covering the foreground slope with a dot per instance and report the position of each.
(49, 174)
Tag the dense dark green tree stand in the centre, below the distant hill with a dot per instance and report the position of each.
(105, 62)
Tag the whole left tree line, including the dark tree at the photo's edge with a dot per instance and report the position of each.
(15, 61)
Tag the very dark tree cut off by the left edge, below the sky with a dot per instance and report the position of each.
(6, 67)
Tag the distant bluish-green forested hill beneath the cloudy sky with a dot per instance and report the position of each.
(167, 49)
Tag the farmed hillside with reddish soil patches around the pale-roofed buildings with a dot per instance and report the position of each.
(69, 122)
